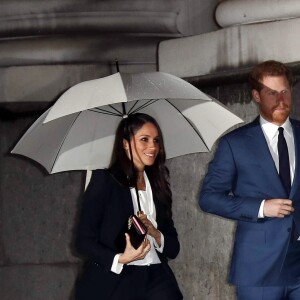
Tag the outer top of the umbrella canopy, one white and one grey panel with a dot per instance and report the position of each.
(123, 87)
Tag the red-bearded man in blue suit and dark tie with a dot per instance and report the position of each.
(244, 183)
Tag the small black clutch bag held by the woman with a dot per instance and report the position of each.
(136, 230)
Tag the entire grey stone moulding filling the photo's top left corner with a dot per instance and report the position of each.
(27, 18)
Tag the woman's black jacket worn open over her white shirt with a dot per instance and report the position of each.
(106, 206)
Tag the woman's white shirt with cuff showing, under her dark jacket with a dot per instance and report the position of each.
(148, 207)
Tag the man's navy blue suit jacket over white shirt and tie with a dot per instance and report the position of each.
(239, 177)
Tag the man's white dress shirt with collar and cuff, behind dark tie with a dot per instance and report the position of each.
(270, 131)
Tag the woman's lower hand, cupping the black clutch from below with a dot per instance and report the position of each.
(131, 254)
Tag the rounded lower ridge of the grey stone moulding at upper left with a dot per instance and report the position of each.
(101, 22)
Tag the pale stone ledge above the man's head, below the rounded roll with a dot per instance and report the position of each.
(232, 48)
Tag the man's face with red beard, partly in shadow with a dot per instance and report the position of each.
(275, 99)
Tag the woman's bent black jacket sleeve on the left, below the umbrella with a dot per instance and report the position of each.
(92, 211)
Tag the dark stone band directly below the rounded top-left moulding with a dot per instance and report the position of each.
(78, 49)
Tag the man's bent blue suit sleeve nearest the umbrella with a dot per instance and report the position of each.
(219, 194)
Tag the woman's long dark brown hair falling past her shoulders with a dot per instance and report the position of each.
(158, 173)
